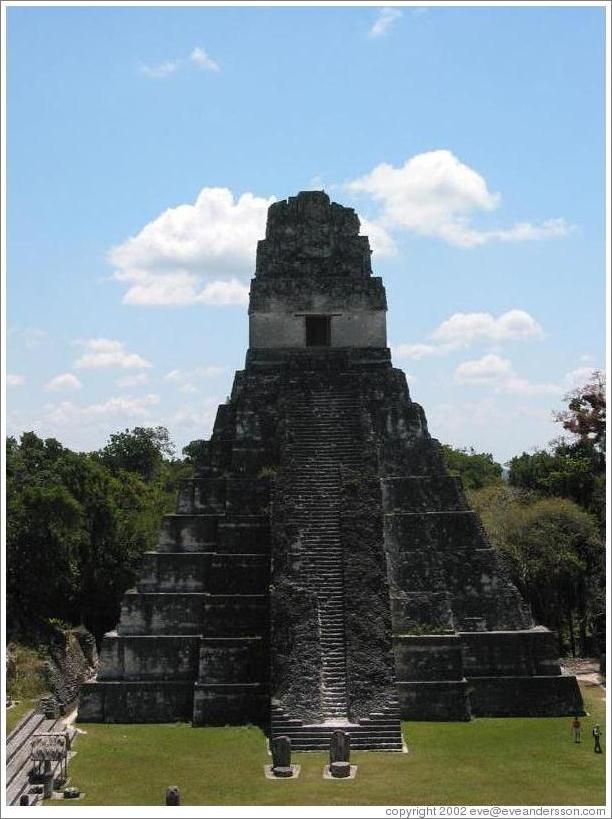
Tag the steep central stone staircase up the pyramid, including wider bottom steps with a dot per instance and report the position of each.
(325, 438)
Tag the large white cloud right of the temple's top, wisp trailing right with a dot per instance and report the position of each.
(435, 194)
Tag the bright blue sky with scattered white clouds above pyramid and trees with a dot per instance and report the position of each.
(145, 144)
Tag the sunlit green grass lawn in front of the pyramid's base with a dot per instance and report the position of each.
(487, 761)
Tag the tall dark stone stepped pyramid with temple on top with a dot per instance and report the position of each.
(323, 570)
